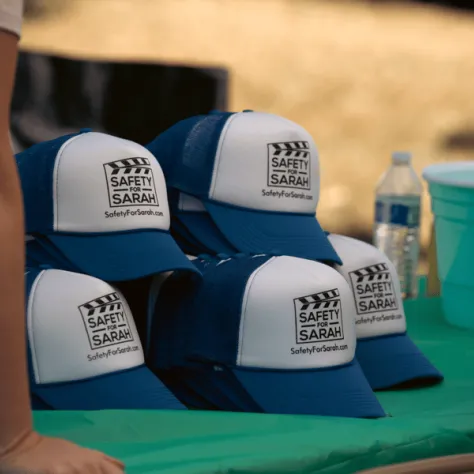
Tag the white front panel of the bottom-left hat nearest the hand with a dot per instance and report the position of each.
(79, 327)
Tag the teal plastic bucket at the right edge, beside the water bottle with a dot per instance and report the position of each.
(451, 187)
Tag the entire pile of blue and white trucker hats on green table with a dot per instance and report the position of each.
(240, 300)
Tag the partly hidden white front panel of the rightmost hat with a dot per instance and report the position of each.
(375, 287)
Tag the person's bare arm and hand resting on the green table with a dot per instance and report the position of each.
(21, 448)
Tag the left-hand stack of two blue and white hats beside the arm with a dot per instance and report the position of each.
(96, 209)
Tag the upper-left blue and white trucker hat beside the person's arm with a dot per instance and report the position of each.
(102, 202)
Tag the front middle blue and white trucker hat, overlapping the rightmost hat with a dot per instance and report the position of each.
(279, 329)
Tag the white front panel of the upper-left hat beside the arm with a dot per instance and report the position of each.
(105, 184)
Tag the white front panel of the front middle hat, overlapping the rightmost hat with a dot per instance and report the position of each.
(296, 314)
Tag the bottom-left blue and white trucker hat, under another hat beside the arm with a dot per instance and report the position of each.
(84, 349)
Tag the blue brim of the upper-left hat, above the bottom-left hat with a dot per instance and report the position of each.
(123, 256)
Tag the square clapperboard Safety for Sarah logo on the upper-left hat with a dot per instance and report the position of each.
(130, 182)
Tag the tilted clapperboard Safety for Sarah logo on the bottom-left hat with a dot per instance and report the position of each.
(105, 321)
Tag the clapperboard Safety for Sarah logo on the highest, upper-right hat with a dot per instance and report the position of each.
(289, 165)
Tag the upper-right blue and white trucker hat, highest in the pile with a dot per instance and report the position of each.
(257, 175)
